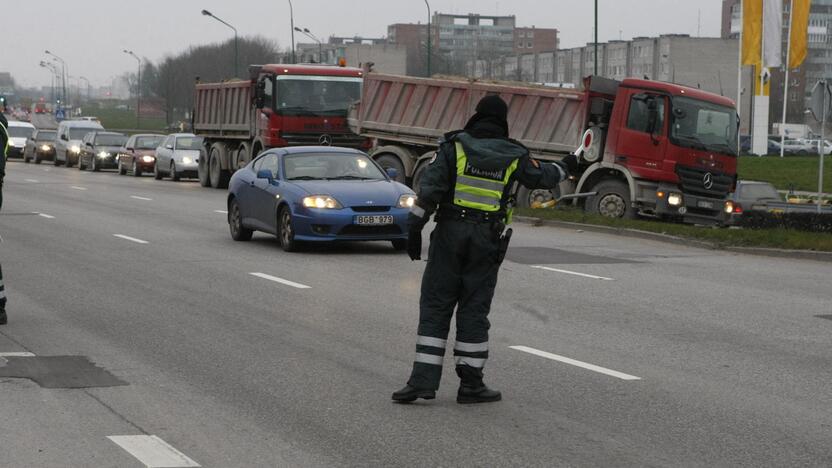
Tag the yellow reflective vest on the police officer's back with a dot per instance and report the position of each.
(481, 189)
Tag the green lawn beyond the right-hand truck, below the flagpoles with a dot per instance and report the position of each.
(800, 171)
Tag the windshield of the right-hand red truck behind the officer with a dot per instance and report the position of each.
(703, 125)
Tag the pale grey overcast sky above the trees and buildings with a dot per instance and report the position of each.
(91, 34)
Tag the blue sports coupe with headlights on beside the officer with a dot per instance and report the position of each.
(318, 193)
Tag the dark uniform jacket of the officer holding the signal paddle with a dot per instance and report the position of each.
(436, 187)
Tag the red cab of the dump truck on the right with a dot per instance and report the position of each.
(670, 151)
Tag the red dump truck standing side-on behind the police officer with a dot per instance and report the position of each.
(645, 147)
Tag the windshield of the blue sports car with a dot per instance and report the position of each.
(331, 166)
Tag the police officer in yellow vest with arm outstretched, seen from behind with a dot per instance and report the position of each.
(471, 180)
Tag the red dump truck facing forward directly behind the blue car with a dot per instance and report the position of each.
(280, 105)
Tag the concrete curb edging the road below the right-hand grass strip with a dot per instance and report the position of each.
(668, 239)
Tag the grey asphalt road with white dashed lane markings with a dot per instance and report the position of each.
(658, 355)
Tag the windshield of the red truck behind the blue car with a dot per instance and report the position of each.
(316, 95)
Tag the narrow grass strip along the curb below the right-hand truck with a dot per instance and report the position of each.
(721, 237)
